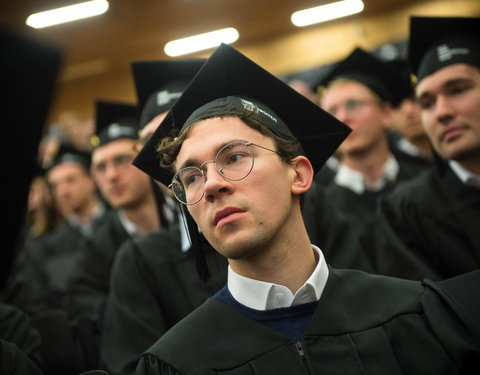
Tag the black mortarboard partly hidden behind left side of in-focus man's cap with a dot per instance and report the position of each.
(159, 84)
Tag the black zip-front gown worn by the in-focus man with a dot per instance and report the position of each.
(363, 324)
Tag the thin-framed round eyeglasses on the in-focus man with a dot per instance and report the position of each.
(234, 162)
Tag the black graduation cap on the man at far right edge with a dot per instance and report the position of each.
(436, 42)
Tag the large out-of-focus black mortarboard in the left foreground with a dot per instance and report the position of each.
(28, 73)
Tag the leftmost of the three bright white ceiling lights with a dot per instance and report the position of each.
(67, 14)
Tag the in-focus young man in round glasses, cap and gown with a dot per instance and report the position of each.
(235, 156)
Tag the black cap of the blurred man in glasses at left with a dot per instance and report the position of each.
(114, 121)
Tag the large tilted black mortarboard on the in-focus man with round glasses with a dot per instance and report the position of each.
(228, 73)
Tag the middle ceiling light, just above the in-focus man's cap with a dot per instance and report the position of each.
(200, 42)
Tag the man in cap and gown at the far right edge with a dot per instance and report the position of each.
(429, 227)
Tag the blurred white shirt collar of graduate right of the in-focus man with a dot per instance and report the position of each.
(356, 182)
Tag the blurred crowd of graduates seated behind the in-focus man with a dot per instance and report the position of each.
(104, 259)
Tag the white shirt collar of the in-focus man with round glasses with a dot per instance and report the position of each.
(261, 295)
